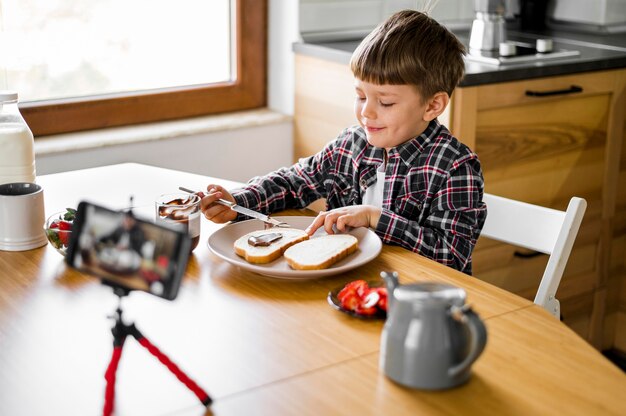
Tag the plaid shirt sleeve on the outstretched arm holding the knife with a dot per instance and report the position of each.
(292, 187)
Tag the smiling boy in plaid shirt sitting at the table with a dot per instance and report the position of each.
(398, 171)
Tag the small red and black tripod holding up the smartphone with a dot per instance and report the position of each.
(120, 331)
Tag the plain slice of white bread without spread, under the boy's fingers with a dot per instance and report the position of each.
(321, 252)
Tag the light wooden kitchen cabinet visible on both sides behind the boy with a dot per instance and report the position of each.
(535, 147)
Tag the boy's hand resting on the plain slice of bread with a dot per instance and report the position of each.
(342, 218)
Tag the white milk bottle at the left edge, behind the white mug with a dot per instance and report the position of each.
(17, 153)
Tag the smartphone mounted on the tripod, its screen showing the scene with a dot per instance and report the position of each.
(127, 252)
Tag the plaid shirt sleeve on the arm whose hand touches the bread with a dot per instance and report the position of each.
(451, 227)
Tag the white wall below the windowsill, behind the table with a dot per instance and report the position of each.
(236, 155)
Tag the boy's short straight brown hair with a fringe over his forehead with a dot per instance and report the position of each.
(410, 48)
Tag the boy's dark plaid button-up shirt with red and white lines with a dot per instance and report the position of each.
(432, 201)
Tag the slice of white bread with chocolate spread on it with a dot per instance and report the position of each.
(266, 254)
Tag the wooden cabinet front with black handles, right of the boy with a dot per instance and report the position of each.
(543, 141)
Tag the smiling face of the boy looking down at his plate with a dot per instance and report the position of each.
(390, 114)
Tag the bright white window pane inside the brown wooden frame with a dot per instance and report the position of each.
(57, 49)
